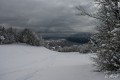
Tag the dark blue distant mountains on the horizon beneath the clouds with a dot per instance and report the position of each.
(82, 37)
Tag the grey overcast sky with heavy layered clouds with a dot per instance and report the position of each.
(46, 15)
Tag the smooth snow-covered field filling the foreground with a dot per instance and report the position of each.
(23, 62)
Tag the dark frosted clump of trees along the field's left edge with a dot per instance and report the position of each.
(12, 35)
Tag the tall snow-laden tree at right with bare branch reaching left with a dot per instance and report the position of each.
(107, 38)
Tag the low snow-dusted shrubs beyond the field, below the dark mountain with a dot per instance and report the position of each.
(67, 46)
